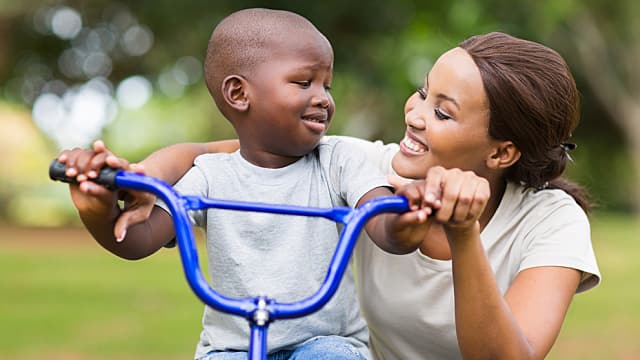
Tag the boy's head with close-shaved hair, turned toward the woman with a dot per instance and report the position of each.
(269, 72)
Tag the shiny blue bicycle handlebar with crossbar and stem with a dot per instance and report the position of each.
(259, 311)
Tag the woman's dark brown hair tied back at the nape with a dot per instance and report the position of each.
(533, 102)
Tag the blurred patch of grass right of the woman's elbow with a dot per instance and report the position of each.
(604, 323)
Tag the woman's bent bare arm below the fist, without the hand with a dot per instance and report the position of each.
(524, 323)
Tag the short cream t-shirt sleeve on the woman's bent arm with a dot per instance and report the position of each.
(562, 238)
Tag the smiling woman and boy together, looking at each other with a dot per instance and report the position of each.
(485, 264)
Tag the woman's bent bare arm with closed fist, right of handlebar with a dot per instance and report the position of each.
(522, 324)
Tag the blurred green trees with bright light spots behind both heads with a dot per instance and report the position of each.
(139, 62)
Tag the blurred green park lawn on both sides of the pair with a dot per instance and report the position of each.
(75, 301)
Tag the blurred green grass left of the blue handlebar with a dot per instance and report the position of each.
(79, 302)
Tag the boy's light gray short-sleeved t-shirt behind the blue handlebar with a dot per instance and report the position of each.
(283, 257)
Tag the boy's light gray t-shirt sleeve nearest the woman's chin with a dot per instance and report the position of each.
(353, 173)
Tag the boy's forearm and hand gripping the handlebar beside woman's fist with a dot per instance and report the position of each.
(398, 233)
